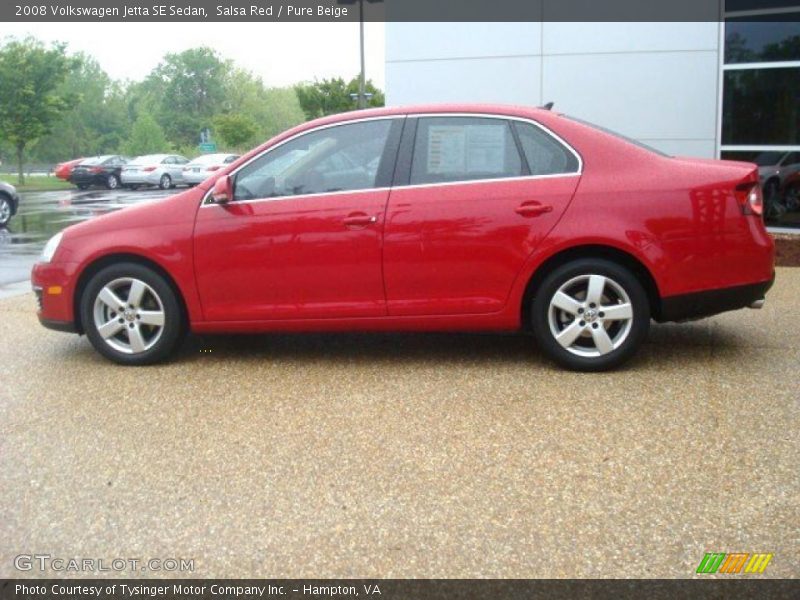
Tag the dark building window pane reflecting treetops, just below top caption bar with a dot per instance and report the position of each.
(762, 39)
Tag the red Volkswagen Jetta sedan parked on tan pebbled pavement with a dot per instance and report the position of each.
(458, 218)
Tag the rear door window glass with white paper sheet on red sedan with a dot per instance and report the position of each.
(463, 149)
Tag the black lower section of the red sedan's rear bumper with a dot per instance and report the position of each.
(712, 302)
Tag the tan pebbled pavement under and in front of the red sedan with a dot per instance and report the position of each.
(407, 455)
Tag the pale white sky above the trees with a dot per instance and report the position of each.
(281, 53)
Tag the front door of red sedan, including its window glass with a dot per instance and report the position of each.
(302, 237)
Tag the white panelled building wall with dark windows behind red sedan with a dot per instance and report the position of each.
(710, 89)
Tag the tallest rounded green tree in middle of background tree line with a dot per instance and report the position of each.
(186, 91)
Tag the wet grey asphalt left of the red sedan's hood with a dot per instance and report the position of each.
(43, 214)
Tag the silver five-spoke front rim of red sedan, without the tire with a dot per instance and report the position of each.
(129, 315)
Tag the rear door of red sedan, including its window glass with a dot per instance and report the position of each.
(473, 198)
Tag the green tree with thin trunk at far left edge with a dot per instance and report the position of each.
(31, 102)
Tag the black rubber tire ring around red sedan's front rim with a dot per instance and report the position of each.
(173, 329)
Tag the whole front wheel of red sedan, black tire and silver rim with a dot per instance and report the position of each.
(132, 336)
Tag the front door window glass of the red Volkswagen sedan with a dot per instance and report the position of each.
(340, 158)
